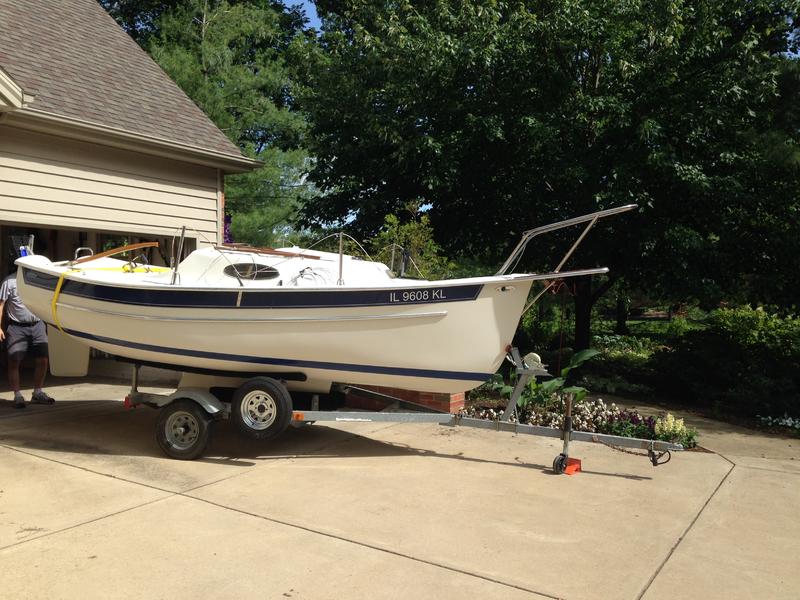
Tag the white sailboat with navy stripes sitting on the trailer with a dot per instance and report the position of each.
(307, 317)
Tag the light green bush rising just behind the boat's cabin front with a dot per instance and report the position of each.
(414, 238)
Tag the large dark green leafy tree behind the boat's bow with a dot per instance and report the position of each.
(503, 115)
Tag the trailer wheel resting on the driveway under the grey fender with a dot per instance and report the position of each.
(183, 429)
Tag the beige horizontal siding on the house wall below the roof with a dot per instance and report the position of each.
(55, 182)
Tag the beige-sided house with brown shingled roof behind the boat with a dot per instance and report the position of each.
(98, 146)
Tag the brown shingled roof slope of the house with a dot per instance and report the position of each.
(80, 64)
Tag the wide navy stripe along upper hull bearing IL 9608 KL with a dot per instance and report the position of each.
(277, 298)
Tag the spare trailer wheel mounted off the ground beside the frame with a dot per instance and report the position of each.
(261, 408)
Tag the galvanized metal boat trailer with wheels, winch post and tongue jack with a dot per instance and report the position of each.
(262, 408)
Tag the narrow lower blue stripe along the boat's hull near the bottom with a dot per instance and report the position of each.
(285, 362)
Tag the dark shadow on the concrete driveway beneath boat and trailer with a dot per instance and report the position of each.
(105, 428)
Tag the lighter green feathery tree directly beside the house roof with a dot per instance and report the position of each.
(234, 59)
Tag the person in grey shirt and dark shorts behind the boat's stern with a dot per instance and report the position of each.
(25, 333)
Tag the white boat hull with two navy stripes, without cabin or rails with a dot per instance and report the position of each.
(445, 336)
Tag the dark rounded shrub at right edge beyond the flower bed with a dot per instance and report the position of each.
(746, 362)
